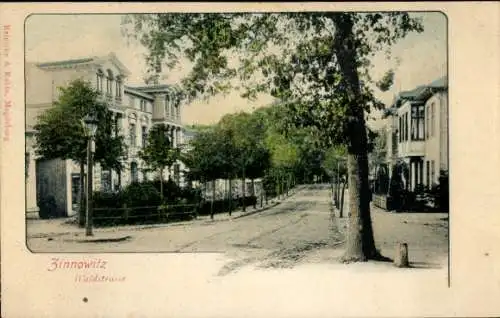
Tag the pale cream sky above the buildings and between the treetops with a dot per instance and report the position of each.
(423, 57)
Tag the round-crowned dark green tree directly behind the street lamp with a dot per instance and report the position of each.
(60, 132)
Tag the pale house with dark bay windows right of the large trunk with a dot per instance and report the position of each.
(417, 134)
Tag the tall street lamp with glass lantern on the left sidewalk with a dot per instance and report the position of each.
(90, 122)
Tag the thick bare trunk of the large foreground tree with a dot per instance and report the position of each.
(360, 241)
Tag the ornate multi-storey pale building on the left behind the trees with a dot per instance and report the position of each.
(135, 110)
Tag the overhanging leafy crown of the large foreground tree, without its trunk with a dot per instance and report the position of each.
(304, 73)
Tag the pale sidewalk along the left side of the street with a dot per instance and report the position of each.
(37, 228)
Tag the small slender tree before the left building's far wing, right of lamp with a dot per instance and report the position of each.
(158, 153)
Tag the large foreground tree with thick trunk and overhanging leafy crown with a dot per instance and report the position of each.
(321, 73)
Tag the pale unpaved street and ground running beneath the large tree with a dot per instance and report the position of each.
(299, 230)
